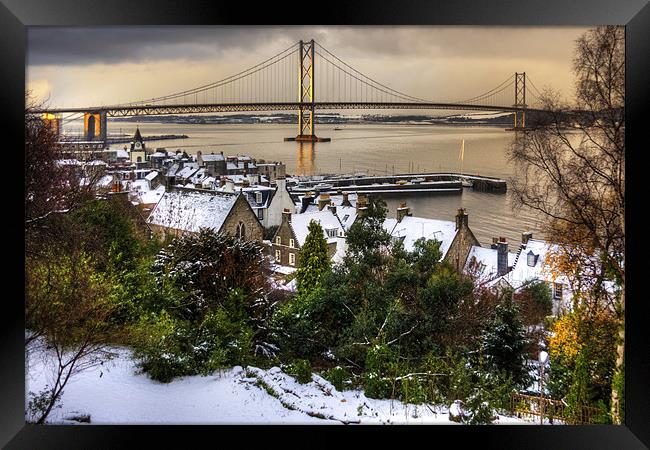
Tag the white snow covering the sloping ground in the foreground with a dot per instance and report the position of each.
(115, 393)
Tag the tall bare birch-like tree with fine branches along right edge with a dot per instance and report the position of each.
(570, 167)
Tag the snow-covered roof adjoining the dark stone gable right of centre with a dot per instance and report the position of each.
(410, 229)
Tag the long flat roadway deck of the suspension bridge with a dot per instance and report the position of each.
(152, 110)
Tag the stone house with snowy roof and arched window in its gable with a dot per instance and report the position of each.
(188, 210)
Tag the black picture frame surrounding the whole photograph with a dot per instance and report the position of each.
(16, 15)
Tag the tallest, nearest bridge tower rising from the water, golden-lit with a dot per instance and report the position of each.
(306, 94)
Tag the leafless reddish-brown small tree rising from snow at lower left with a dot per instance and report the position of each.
(68, 320)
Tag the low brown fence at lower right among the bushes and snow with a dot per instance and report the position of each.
(532, 407)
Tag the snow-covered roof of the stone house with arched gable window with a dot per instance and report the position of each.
(192, 210)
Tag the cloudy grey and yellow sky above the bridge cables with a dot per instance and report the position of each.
(74, 67)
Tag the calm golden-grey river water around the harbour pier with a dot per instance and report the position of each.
(375, 149)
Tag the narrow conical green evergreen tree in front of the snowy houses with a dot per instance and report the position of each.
(314, 261)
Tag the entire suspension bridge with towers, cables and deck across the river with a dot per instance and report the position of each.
(305, 77)
